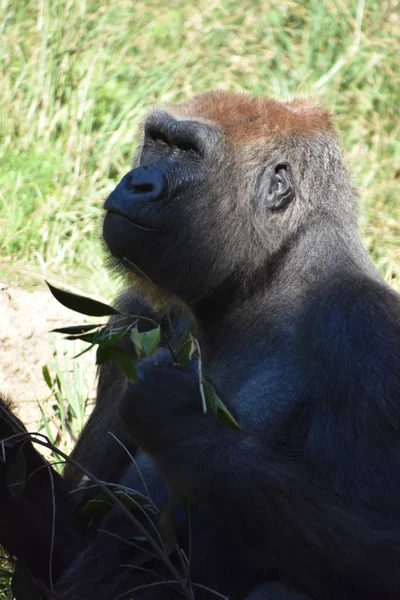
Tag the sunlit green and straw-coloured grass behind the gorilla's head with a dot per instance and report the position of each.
(76, 78)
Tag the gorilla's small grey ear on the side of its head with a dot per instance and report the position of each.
(279, 186)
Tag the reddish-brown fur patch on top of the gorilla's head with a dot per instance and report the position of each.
(244, 119)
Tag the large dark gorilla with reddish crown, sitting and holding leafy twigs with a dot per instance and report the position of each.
(239, 217)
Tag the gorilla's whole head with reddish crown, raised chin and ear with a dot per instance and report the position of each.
(215, 193)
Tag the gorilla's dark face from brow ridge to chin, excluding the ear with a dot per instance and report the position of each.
(172, 216)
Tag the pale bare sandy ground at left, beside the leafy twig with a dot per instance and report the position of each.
(26, 319)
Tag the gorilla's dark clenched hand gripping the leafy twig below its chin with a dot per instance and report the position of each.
(164, 406)
